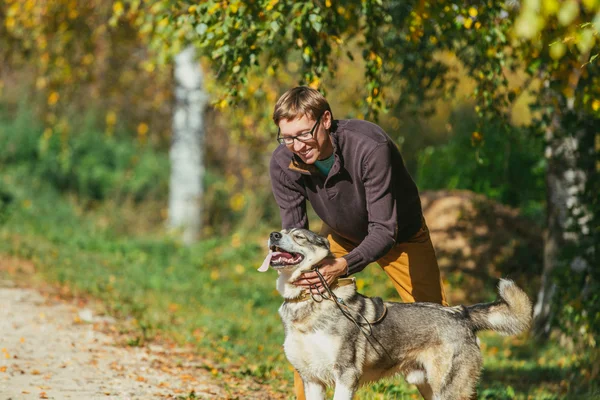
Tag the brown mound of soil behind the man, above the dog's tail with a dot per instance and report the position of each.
(478, 241)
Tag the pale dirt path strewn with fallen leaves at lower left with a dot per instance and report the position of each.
(51, 349)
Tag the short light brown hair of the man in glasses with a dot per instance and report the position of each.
(298, 102)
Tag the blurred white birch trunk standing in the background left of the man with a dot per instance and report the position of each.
(186, 154)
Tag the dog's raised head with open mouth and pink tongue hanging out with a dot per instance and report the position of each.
(295, 249)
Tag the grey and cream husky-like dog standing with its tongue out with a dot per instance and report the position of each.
(344, 339)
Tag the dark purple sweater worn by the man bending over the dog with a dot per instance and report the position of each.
(368, 197)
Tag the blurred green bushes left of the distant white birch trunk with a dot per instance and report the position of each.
(89, 163)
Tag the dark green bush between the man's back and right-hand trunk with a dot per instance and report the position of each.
(507, 167)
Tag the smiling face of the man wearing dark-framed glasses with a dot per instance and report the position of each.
(316, 148)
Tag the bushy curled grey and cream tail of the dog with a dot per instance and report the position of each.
(509, 315)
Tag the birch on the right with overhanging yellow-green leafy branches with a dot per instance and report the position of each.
(401, 42)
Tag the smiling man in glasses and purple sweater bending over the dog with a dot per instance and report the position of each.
(356, 181)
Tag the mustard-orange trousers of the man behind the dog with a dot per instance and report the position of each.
(412, 266)
